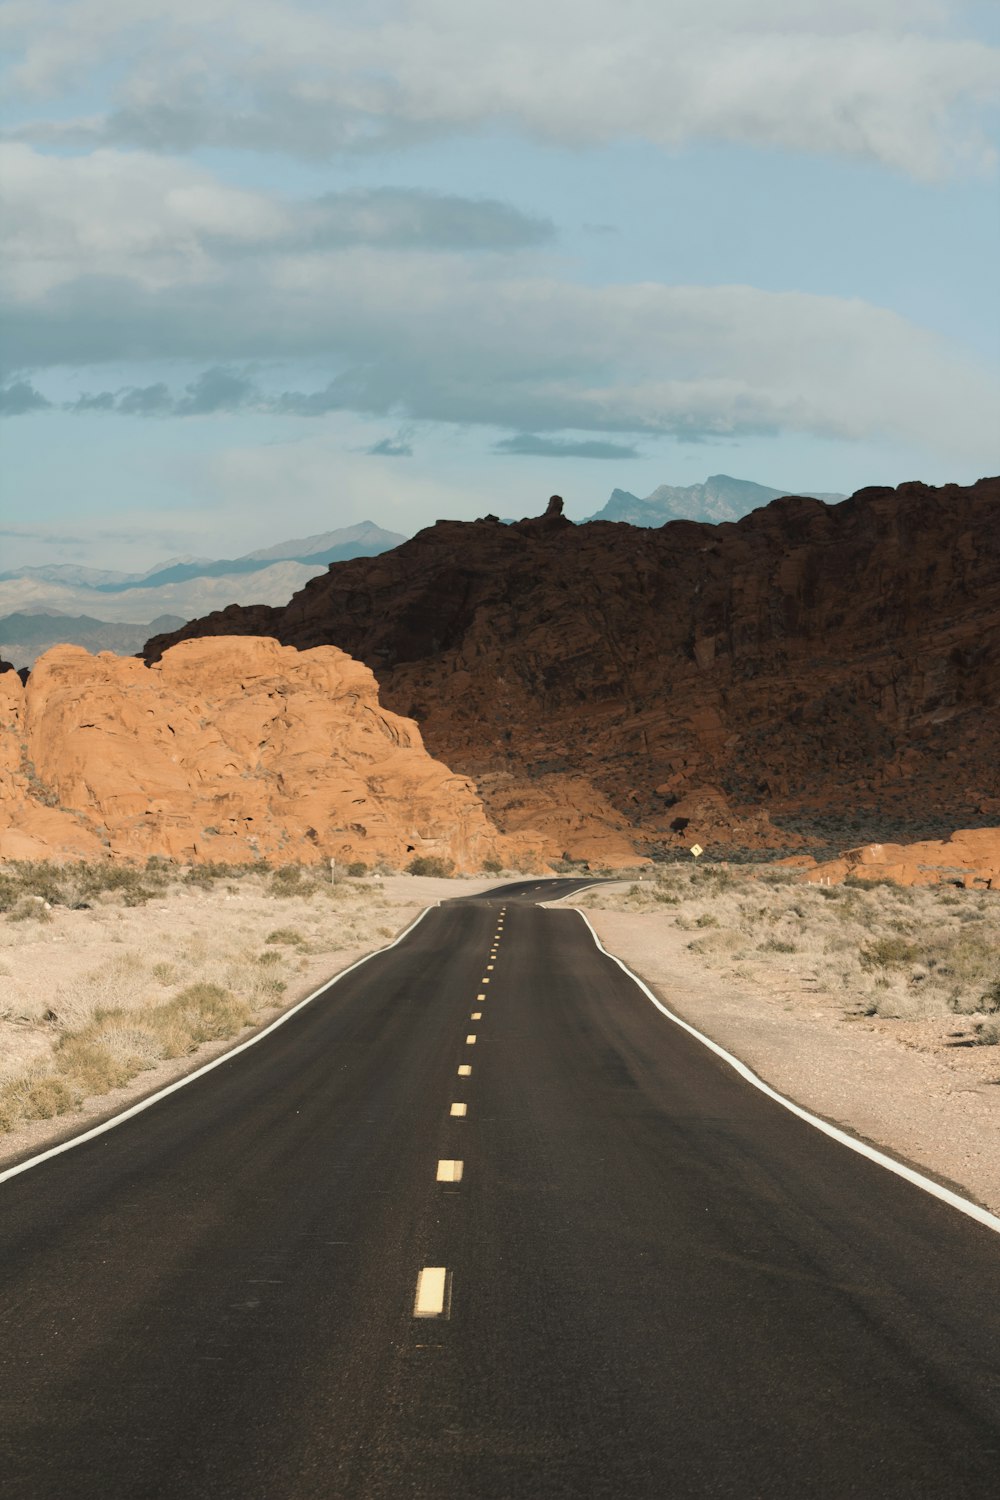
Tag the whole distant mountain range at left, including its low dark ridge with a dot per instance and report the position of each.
(85, 605)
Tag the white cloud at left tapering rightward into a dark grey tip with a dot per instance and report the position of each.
(161, 221)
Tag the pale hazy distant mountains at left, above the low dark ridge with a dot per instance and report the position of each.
(188, 586)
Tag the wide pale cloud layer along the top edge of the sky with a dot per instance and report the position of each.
(894, 82)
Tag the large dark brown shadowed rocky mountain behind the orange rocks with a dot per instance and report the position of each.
(842, 661)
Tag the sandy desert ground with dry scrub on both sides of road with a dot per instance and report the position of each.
(876, 1007)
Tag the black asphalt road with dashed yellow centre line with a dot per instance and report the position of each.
(654, 1282)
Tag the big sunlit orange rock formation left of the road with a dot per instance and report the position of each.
(226, 749)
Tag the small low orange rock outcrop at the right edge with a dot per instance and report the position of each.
(969, 859)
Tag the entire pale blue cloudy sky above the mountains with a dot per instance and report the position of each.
(275, 268)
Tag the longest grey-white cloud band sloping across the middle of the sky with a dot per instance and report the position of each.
(103, 271)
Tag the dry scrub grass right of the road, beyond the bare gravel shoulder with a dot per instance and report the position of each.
(888, 952)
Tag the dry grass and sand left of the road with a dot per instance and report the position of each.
(110, 973)
